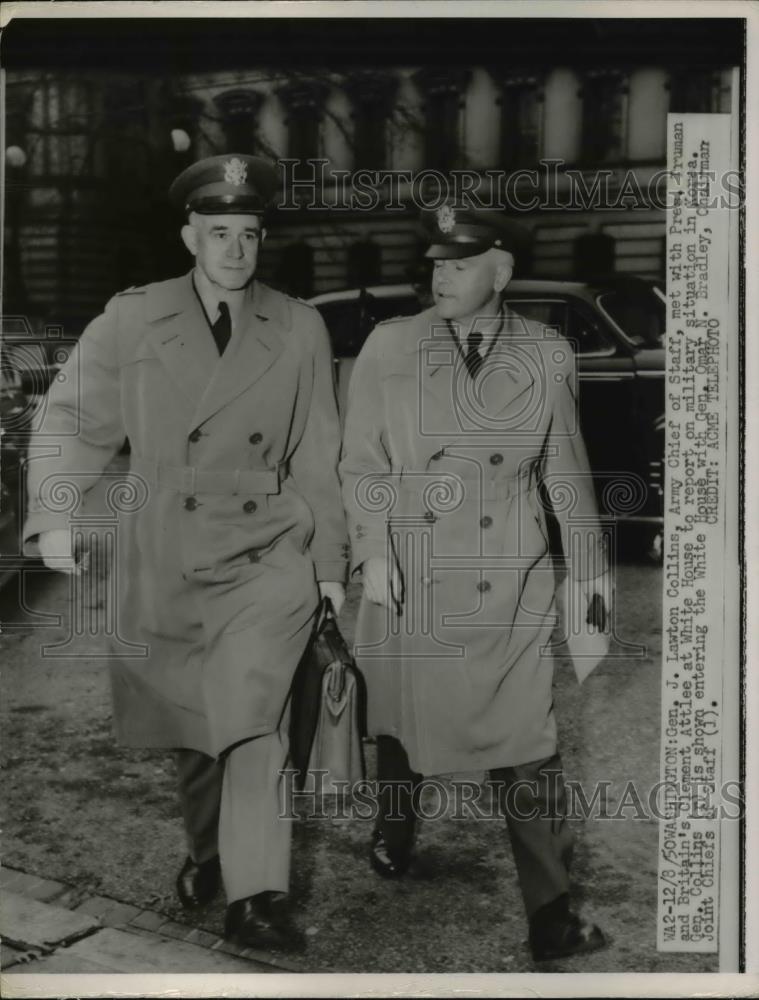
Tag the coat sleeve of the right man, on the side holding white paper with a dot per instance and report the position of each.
(569, 480)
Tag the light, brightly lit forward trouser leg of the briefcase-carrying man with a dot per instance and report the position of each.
(254, 828)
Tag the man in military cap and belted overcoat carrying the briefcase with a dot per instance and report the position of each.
(225, 391)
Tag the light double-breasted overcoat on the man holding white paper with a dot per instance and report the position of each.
(446, 473)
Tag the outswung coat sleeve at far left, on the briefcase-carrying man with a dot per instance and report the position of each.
(80, 432)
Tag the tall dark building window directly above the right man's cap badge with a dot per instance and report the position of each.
(443, 103)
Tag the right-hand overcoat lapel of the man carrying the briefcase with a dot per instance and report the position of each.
(252, 350)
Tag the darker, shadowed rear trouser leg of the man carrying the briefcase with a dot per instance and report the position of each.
(199, 782)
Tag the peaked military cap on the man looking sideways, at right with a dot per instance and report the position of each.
(458, 231)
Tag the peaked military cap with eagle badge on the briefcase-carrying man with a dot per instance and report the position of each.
(232, 184)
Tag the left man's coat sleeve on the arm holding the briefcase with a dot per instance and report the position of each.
(313, 462)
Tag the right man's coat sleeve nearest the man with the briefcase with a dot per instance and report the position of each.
(365, 466)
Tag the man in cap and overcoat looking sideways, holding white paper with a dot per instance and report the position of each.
(457, 419)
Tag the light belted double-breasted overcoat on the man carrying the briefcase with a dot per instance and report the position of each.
(236, 503)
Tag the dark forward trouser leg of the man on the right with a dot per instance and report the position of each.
(533, 799)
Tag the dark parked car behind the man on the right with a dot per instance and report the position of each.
(616, 328)
